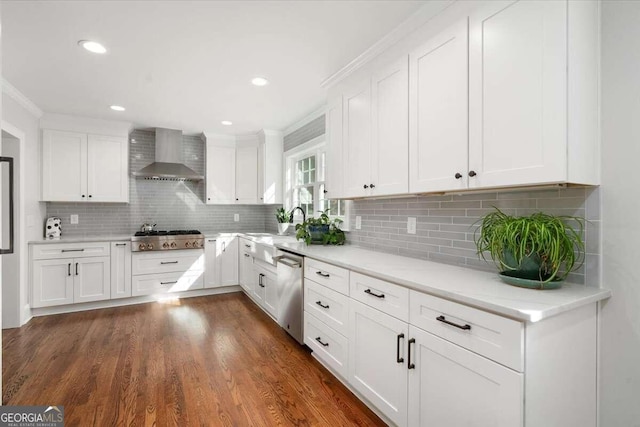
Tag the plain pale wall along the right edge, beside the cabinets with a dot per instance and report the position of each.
(620, 320)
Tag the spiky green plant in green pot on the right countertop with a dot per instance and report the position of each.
(536, 251)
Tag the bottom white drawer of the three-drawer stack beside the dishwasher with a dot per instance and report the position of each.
(328, 345)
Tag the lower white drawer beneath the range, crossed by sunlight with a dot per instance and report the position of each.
(166, 283)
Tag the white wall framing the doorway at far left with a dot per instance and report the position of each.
(35, 211)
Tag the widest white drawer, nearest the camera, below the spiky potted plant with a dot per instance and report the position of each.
(495, 337)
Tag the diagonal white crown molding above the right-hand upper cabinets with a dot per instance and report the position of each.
(419, 18)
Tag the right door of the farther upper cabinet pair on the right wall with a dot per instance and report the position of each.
(390, 129)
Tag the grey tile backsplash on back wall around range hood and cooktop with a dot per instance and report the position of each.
(170, 204)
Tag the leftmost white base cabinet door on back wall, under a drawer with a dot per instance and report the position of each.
(52, 282)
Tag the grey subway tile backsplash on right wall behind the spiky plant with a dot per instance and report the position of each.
(446, 224)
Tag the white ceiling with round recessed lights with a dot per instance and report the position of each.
(187, 64)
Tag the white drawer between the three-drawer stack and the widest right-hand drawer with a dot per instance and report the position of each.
(386, 297)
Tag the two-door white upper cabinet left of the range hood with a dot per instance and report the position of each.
(77, 167)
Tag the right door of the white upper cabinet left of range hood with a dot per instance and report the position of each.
(107, 169)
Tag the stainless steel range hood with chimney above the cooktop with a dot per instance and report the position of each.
(168, 162)
